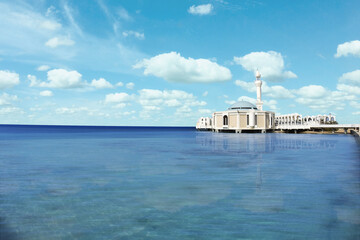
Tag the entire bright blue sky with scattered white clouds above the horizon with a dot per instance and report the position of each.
(169, 62)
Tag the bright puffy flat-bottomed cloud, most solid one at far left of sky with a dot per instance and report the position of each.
(61, 78)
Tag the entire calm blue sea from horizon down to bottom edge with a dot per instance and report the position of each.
(176, 183)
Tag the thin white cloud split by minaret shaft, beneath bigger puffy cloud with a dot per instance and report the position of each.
(276, 91)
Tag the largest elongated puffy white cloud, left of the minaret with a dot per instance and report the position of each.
(175, 68)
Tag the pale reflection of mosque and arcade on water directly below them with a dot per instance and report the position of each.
(260, 143)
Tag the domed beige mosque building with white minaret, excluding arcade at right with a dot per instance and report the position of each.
(242, 116)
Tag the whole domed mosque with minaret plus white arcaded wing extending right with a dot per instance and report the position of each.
(245, 117)
